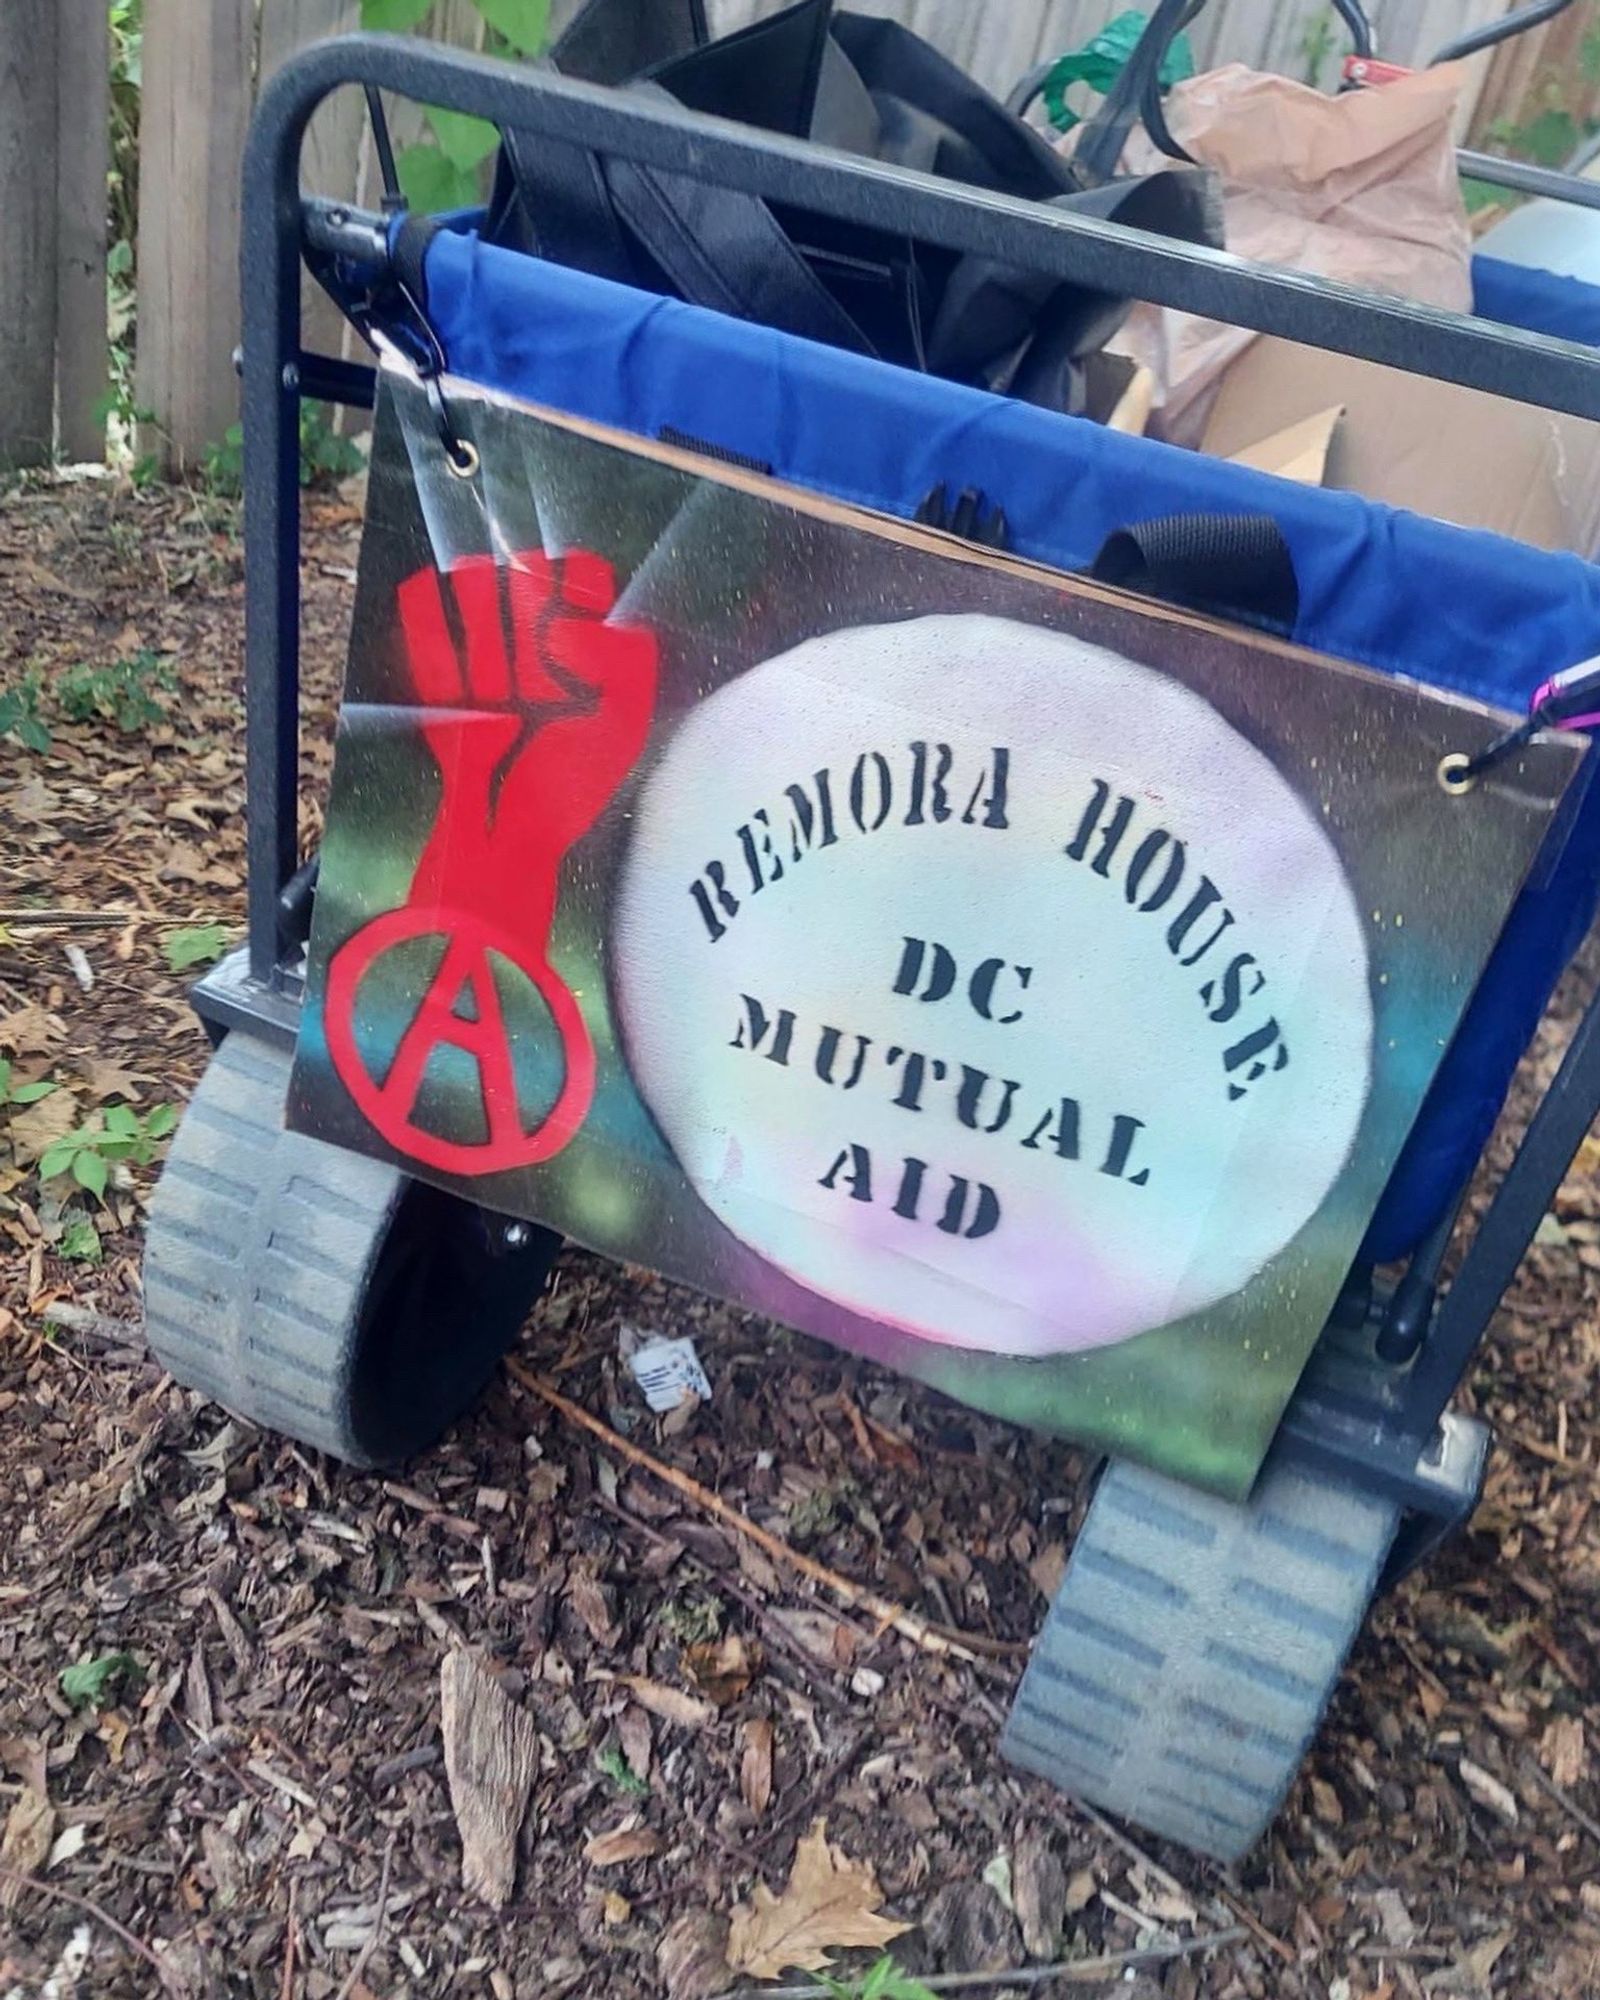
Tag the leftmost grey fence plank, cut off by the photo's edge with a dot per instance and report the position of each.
(27, 231)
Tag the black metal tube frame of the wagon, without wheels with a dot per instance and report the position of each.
(1371, 1411)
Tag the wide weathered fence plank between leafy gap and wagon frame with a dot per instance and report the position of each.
(197, 107)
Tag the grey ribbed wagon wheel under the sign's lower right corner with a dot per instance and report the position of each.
(1193, 1647)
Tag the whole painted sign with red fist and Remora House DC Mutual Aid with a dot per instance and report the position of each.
(991, 973)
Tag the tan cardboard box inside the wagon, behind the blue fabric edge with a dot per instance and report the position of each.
(1411, 441)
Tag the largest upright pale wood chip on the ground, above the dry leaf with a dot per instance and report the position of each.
(491, 1759)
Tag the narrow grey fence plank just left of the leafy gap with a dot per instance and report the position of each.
(83, 109)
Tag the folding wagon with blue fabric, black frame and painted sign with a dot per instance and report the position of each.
(1089, 993)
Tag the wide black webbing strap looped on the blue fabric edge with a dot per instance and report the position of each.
(1229, 565)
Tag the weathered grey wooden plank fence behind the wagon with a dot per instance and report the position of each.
(207, 59)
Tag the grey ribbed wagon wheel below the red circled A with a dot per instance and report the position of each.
(319, 1293)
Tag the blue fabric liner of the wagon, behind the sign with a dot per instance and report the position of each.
(1457, 609)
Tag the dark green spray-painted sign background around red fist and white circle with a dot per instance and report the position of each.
(729, 579)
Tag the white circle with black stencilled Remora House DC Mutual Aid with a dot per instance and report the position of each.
(1117, 1135)
